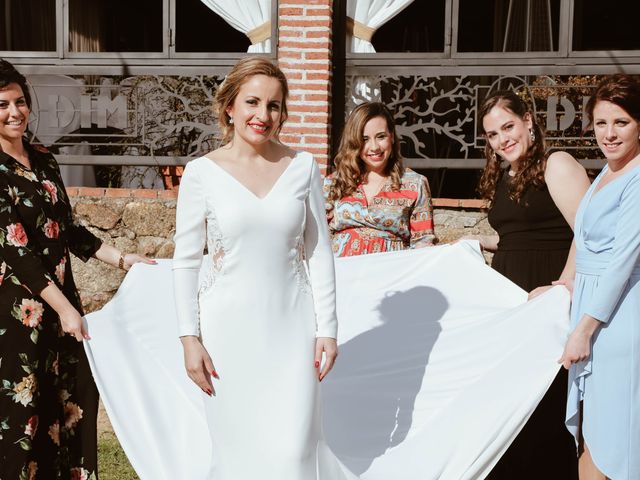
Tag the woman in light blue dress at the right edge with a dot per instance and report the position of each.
(603, 351)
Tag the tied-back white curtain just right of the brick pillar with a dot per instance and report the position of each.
(371, 14)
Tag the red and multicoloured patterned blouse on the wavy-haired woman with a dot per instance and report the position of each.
(395, 220)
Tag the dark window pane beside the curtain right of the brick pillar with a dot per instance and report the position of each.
(418, 28)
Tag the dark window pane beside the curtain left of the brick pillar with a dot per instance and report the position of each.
(199, 29)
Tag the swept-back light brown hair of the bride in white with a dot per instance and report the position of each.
(239, 74)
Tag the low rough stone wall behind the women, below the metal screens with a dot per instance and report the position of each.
(143, 221)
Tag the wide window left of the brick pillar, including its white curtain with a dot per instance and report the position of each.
(142, 29)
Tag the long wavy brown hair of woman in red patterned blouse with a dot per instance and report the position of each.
(350, 168)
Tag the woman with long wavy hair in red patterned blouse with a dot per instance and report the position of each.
(373, 203)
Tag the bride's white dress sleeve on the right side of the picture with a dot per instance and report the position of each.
(319, 257)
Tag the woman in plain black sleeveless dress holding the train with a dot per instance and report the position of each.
(533, 203)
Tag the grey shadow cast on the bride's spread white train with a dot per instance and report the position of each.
(369, 396)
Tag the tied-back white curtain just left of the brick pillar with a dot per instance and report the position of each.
(246, 16)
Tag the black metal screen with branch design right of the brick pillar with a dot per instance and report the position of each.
(437, 116)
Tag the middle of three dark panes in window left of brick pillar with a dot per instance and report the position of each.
(115, 26)
